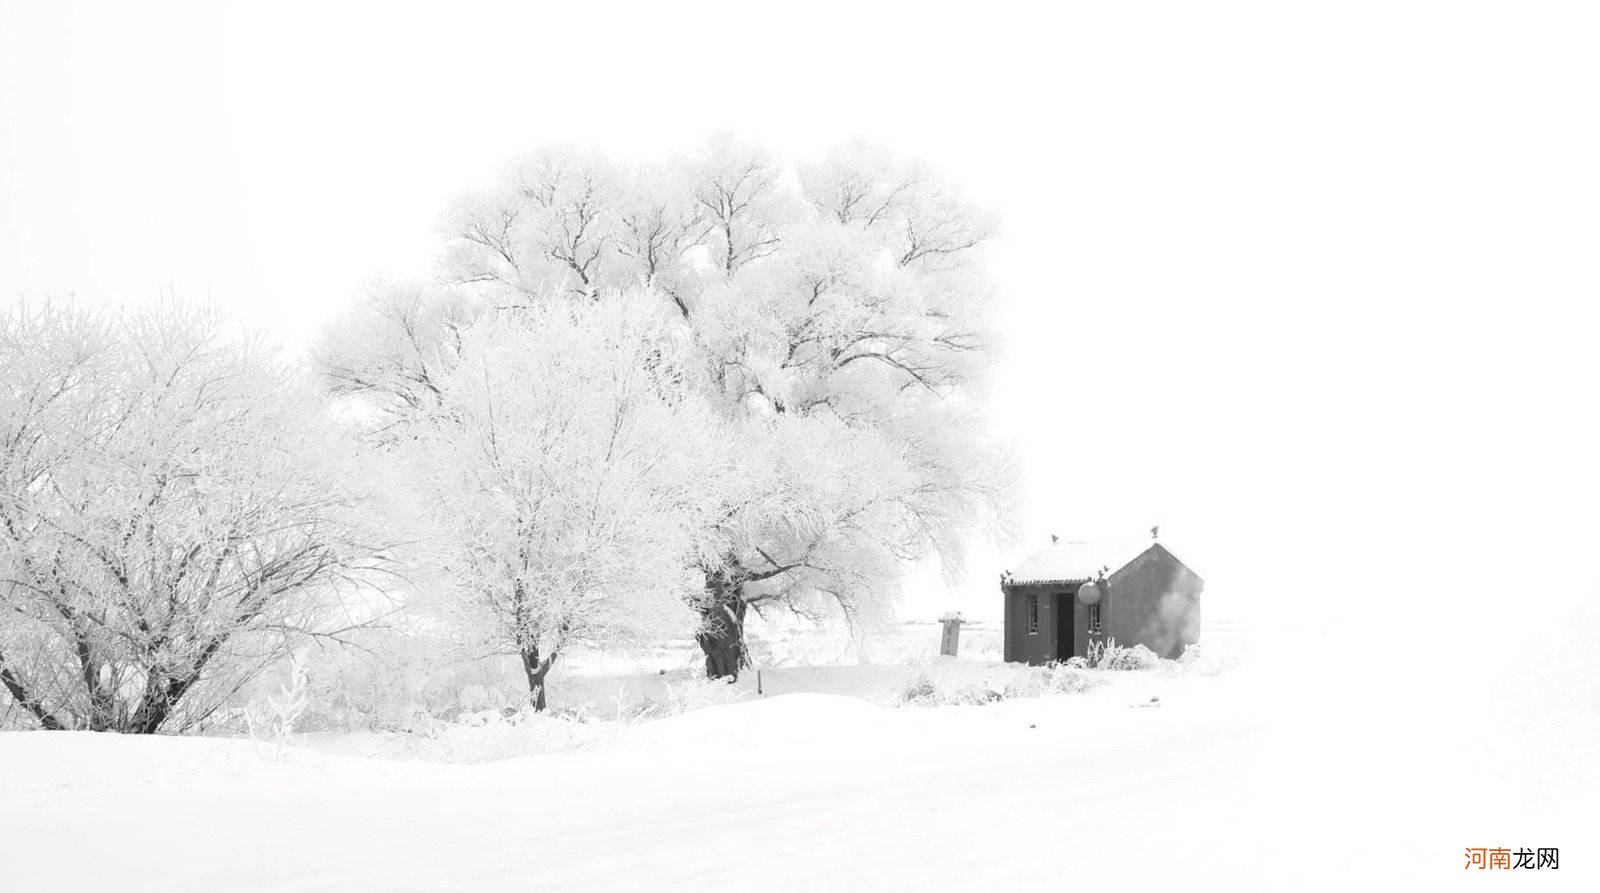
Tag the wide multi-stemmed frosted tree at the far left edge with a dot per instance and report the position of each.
(172, 515)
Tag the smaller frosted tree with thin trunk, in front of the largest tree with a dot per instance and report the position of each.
(570, 473)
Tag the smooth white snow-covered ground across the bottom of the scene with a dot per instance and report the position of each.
(1230, 779)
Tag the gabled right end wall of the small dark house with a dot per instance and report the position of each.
(1154, 601)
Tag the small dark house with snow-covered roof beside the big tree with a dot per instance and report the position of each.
(1071, 595)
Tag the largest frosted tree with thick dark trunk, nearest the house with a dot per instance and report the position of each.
(838, 321)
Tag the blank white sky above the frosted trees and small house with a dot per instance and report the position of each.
(1313, 290)
